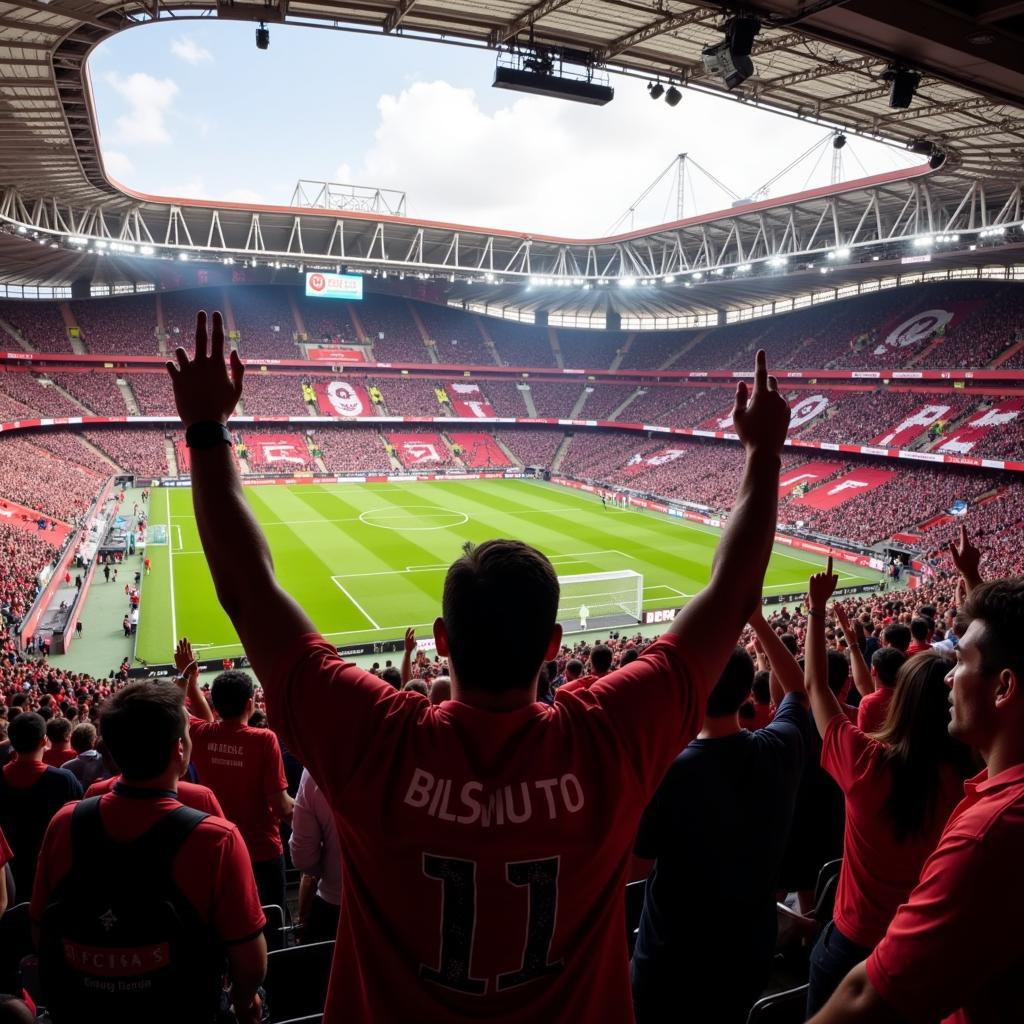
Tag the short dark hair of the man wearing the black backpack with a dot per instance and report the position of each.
(141, 726)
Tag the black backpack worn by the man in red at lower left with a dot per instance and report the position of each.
(119, 942)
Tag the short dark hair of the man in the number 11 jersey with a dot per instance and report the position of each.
(499, 596)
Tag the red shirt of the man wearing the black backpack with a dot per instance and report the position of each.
(211, 870)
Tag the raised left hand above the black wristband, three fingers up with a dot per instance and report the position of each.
(203, 390)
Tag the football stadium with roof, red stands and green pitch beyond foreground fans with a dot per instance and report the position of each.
(413, 386)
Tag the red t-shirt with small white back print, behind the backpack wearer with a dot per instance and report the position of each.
(243, 767)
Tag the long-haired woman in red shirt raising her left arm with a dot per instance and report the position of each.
(901, 787)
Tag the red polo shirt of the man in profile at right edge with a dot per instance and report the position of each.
(956, 950)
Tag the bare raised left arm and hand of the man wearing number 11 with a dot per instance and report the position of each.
(266, 617)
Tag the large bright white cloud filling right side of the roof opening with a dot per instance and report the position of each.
(557, 167)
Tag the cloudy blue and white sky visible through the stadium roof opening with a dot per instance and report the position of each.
(194, 110)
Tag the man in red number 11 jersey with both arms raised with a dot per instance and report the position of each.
(486, 840)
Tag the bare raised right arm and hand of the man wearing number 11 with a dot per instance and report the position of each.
(714, 620)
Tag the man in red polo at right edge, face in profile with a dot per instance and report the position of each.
(955, 952)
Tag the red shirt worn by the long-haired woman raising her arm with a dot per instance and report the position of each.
(878, 872)
